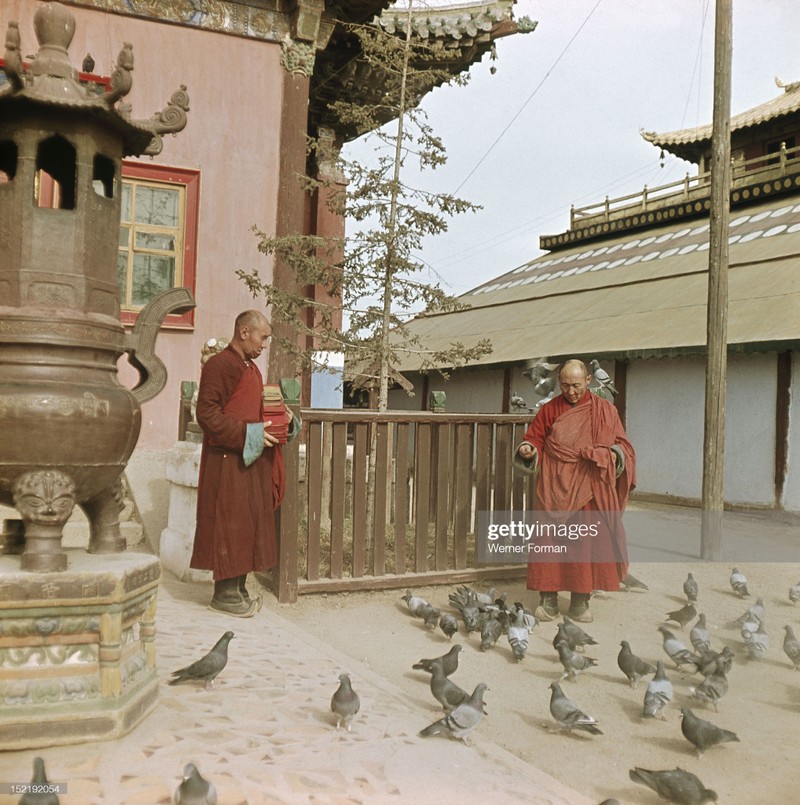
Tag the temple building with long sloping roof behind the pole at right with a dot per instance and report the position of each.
(627, 284)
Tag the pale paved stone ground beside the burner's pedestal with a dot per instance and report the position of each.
(265, 734)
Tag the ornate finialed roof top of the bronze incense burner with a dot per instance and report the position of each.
(49, 80)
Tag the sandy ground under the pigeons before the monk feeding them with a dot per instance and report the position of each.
(762, 705)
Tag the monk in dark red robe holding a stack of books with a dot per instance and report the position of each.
(241, 470)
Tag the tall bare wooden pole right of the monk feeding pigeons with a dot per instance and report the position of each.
(717, 307)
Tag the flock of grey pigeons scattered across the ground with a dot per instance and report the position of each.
(489, 615)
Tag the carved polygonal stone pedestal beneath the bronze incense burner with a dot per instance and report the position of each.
(77, 649)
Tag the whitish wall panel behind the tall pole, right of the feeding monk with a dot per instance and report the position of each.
(665, 423)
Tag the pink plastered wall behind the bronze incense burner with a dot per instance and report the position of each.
(232, 137)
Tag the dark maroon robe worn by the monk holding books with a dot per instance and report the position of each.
(235, 532)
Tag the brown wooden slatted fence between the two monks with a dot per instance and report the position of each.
(433, 473)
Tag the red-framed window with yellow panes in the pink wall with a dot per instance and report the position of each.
(157, 237)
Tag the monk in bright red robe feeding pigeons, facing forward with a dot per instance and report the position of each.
(585, 465)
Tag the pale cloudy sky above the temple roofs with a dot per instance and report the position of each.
(558, 122)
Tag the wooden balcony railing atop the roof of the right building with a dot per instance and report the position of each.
(784, 162)
